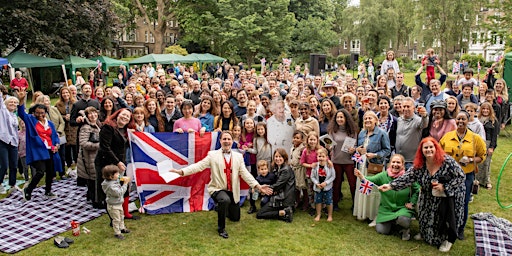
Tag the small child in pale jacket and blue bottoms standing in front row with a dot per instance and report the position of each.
(322, 177)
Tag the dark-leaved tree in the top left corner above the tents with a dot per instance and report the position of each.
(56, 28)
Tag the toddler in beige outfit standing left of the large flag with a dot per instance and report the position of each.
(114, 192)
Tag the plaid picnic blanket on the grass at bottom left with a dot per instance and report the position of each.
(25, 224)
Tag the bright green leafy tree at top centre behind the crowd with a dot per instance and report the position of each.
(253, 26)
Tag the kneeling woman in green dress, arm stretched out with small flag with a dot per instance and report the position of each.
(396, 207)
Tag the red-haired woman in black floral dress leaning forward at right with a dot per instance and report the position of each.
(441, 202)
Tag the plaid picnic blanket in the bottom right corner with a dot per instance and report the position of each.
(493, 235)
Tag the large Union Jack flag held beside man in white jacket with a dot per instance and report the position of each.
(185, 194)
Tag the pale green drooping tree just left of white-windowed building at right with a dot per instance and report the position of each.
(444, 24)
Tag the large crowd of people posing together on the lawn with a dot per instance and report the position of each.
(278, 120)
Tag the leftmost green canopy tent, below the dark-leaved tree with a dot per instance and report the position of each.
(25, 60)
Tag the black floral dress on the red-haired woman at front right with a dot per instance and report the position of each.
(453, 179)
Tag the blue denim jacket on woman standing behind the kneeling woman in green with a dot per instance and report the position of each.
(378, 144)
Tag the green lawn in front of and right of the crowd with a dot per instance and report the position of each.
(195, 233)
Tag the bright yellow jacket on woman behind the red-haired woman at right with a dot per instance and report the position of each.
(472, 145)
